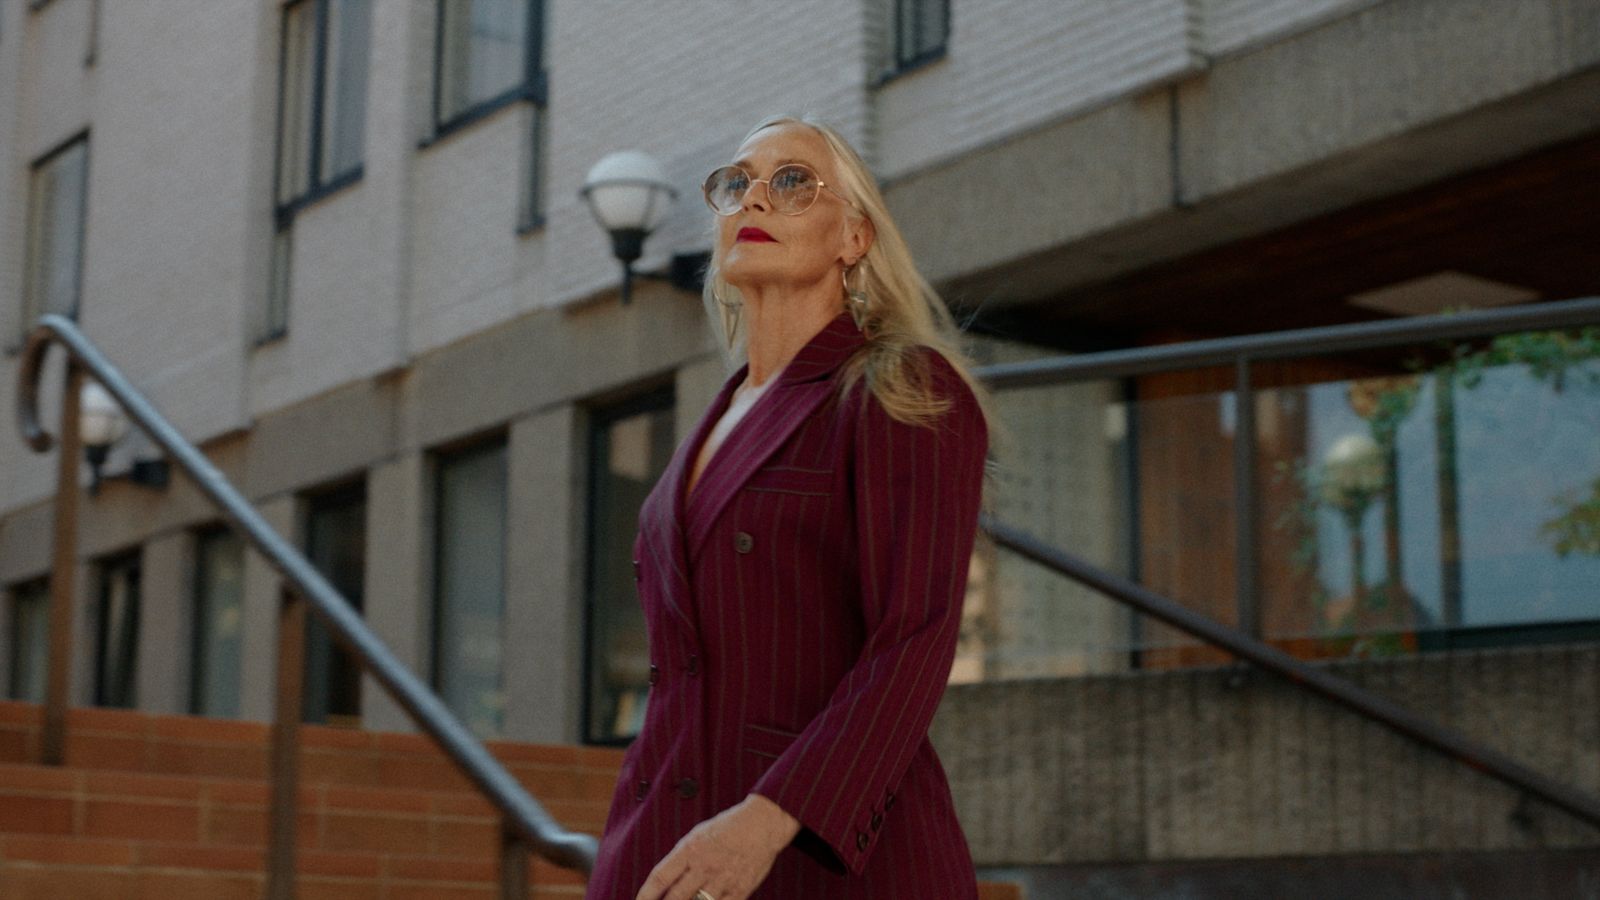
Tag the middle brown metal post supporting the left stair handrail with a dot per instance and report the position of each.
(286, 745)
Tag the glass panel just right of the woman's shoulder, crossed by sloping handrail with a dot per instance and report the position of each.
(1143, 489)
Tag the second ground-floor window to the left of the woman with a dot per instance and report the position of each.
(470, 592)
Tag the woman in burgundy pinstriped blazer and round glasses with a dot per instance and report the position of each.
(802, 563)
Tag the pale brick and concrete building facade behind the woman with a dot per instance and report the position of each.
(342, 246)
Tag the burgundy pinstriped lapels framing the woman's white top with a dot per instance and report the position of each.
(804, 385)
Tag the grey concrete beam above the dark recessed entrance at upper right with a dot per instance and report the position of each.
(1375, 100)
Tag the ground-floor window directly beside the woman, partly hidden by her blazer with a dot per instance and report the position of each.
(630, 449)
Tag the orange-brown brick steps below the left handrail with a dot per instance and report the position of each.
(175, 808)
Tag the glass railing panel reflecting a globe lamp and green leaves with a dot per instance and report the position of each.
(1430, 494)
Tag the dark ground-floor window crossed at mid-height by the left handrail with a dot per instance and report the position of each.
(337, 545)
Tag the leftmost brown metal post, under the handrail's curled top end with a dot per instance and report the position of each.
(63, 574)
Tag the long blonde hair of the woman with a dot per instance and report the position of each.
(903, 310)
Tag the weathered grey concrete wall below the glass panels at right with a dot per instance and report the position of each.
(1206, 765)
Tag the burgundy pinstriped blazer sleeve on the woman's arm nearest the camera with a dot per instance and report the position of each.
(918, 491)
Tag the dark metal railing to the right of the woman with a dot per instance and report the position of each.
(1247, 645)
